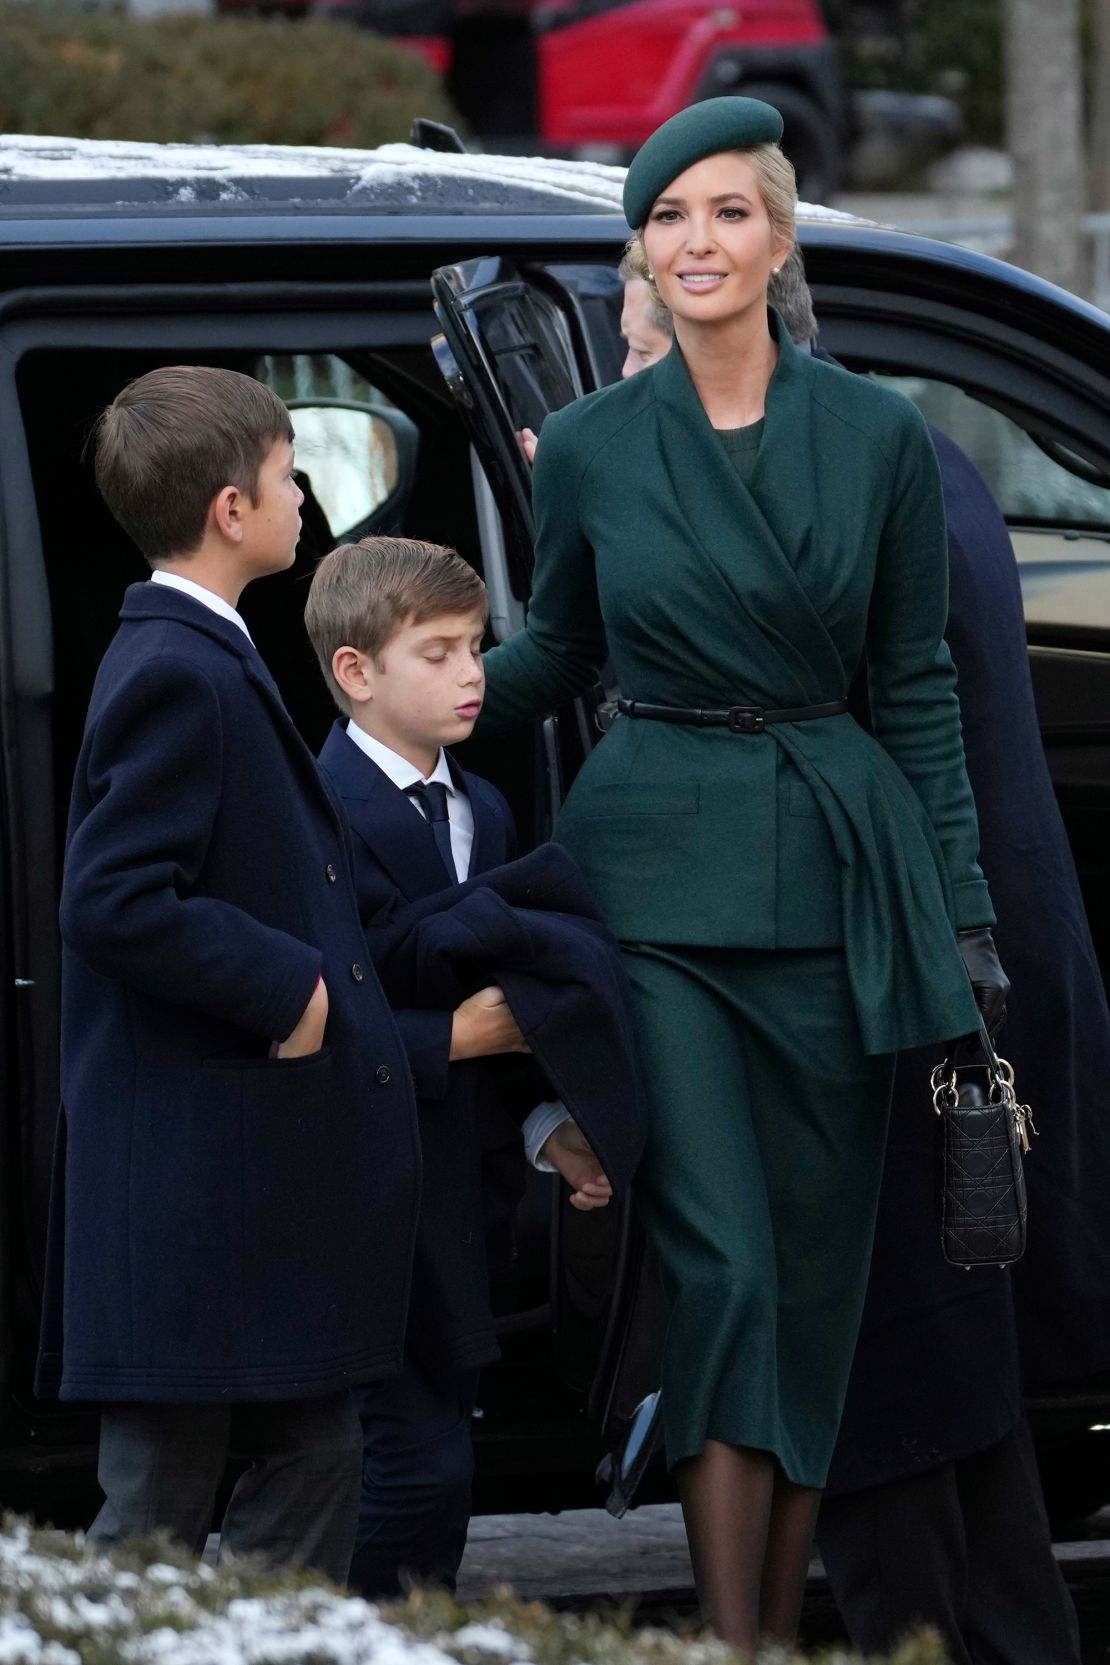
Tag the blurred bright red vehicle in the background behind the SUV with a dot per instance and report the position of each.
(597, 77)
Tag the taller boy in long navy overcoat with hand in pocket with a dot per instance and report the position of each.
(239, 1125)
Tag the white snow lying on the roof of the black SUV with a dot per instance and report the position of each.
(84, 172)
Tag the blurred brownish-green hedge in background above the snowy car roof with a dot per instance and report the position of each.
(207, 79)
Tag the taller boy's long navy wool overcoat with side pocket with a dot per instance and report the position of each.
(224, 1226)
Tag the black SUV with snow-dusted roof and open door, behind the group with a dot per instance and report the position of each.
(417, 311)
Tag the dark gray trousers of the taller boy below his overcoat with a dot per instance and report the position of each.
(295, 1506)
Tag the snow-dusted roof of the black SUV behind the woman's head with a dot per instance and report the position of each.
(184, 207)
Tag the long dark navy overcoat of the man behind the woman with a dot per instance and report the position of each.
(944, 1354)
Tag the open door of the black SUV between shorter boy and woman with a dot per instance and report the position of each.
(515, 347)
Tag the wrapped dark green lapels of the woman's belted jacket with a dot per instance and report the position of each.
(755, 539)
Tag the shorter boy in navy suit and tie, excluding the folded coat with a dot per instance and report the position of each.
(399, 627)
